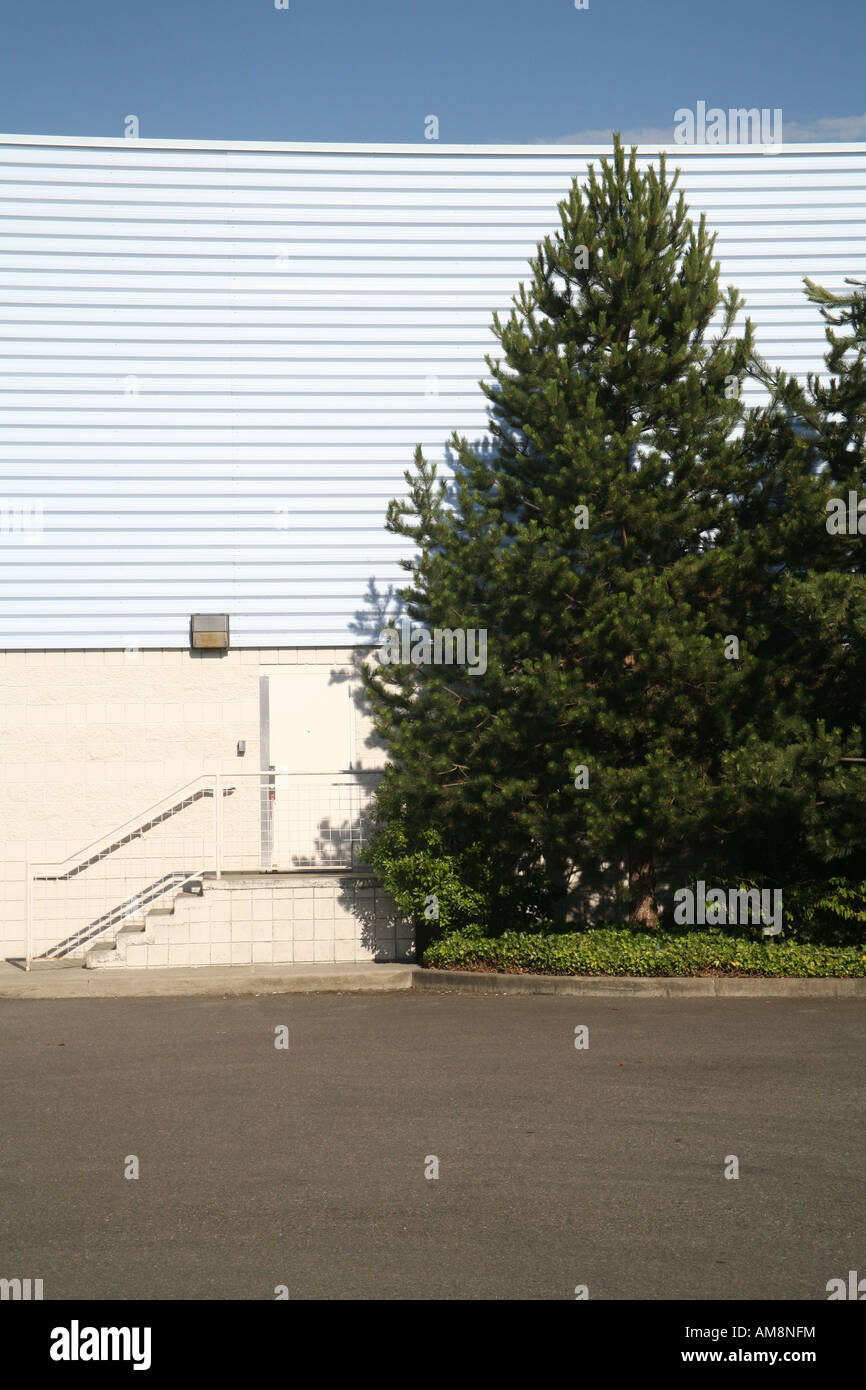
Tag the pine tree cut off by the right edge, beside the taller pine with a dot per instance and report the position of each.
(799, 793)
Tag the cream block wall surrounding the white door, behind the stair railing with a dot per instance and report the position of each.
(88, 740)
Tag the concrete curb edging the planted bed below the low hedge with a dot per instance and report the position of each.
(646, 988)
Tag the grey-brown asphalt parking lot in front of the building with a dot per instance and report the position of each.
(558, 1167)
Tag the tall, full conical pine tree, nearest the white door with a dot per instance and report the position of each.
(583, 543)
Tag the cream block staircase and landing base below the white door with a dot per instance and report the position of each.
(316, 917)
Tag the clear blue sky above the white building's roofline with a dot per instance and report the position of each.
(373, 70)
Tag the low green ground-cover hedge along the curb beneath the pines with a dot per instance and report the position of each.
(626, 951)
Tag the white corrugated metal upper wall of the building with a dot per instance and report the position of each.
(216, 359)
